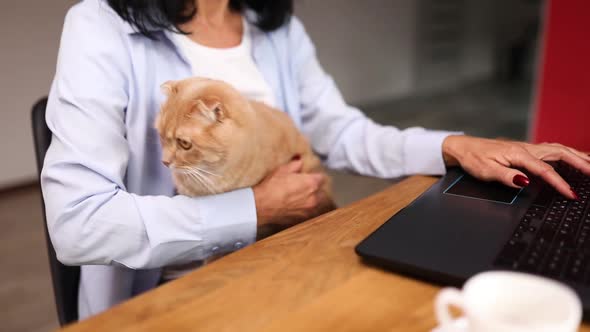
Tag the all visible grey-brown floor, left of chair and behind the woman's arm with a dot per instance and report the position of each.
(26, 303)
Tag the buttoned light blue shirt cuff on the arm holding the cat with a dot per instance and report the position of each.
(233, 220)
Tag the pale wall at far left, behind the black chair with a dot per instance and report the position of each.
(29, 36)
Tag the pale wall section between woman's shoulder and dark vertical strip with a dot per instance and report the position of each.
(367, 46)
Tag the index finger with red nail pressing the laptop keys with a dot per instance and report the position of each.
(543, 170)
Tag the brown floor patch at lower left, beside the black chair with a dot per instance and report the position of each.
(26, 299)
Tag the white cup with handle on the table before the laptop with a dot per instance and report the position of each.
(509, 302)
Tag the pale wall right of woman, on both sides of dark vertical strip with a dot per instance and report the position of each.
(370, 46)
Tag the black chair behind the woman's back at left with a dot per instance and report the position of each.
(65, 278)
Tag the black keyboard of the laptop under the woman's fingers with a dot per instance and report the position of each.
(553, 237)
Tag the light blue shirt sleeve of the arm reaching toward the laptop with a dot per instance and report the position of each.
(345, 137)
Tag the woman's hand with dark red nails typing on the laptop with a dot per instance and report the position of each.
(489, 160)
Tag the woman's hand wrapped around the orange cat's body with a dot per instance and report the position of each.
(287, 196)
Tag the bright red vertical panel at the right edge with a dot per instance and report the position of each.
(563, 95)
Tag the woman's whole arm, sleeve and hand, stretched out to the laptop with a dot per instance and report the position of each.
(347, 139)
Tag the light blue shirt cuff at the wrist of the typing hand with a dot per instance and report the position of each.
(423, 153)
